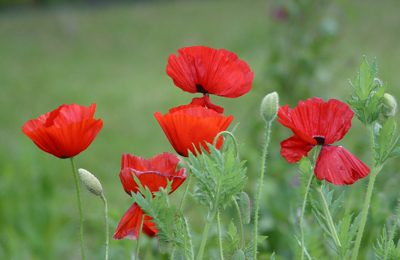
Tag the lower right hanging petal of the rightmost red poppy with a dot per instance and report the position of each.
(338, 166)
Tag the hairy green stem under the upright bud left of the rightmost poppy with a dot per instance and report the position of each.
(260, 184)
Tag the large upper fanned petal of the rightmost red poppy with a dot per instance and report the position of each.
(316, 118)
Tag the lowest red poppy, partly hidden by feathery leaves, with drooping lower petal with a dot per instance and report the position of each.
(154, 174)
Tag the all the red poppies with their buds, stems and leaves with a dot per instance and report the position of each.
(212, 173)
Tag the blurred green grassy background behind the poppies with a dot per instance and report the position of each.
(115, 55)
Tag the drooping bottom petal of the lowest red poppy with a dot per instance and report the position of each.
(129, 224)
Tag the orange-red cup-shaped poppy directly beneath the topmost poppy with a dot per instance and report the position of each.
(189, 126)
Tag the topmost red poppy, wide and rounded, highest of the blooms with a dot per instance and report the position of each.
(210, 71)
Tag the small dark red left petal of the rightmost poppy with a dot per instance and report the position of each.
(294, 148)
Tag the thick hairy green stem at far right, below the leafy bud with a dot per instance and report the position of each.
(364, 212)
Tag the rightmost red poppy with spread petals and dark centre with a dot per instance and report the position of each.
(315, 122)
